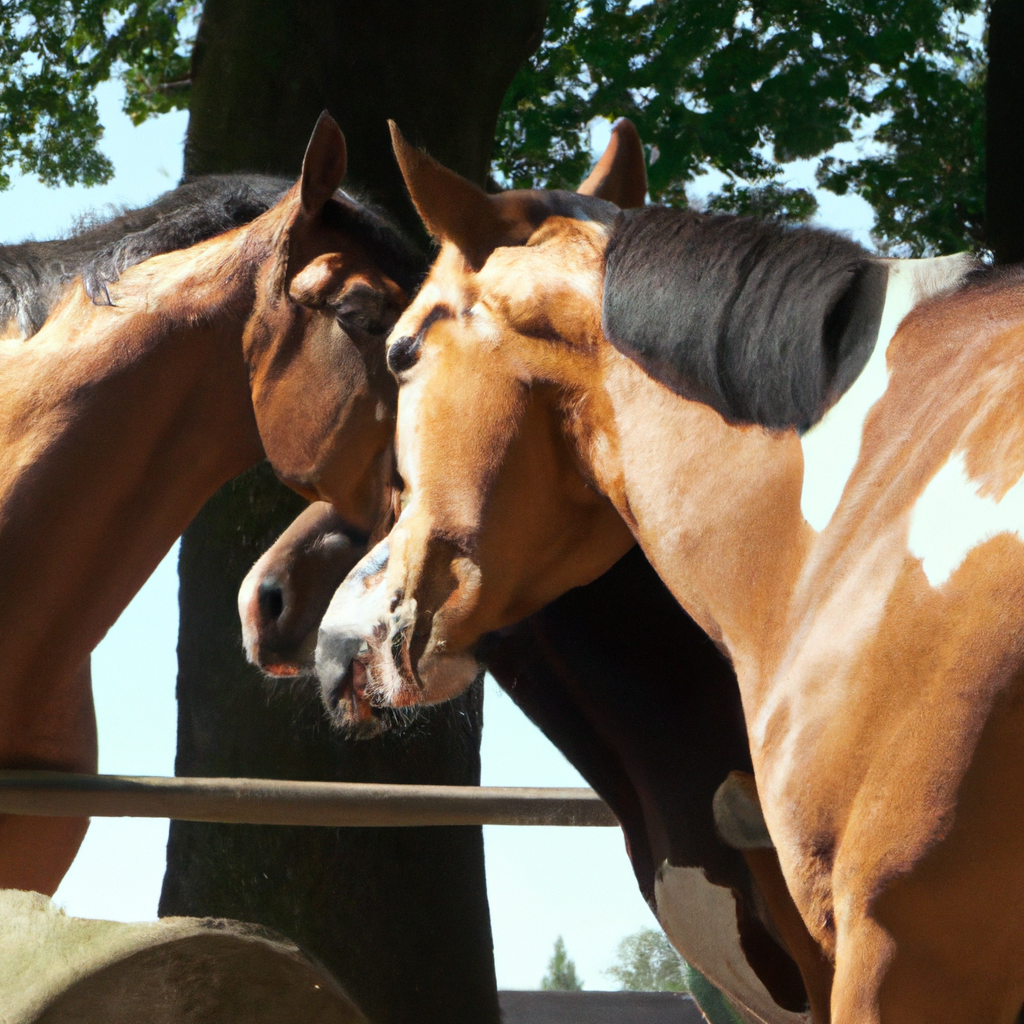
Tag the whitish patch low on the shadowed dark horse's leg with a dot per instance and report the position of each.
(701, 921)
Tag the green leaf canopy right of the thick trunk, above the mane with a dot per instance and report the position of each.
(745, 87)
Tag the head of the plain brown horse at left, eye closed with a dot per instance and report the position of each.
(335, 279)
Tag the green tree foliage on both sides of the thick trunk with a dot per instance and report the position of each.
(737, 87)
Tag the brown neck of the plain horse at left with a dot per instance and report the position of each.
(117, 423)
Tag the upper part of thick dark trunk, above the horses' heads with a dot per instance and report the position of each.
(265, 69)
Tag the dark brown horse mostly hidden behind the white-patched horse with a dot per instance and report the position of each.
(657, 758)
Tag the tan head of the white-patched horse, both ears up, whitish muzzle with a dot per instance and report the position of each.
(498, 520)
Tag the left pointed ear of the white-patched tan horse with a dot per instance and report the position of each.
(452, 208)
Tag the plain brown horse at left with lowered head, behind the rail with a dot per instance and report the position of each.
(121, 417)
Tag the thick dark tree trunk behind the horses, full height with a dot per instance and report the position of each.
(400, 916)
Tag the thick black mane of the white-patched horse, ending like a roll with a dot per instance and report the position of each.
(764, 323)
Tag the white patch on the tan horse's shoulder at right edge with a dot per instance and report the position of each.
(951, 519)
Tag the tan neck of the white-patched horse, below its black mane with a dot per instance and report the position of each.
(715, 507)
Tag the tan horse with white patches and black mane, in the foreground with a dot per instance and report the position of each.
(650, 376)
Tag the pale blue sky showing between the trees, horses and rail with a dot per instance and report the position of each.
(542, 883)
